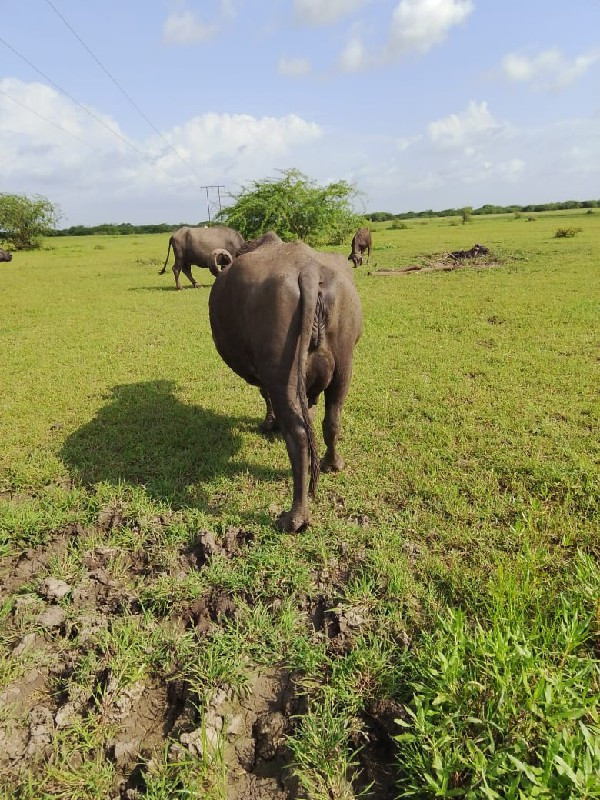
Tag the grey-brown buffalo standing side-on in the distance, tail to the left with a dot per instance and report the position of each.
(195, 246)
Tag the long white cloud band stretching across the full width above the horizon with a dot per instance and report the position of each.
(467, 158)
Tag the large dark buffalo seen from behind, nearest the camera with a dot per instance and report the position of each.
(286, 318)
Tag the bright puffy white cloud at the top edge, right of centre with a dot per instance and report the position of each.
(418, 25)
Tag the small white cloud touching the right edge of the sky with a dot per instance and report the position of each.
(547, 70)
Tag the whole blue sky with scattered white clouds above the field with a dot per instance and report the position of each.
(419, 103)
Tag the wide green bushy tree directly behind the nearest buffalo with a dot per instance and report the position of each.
(295, 208)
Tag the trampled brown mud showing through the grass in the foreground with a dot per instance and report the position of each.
(51, 626)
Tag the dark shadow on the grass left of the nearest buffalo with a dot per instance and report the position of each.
(146, 436)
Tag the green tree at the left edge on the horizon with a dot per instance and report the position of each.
(24, 220)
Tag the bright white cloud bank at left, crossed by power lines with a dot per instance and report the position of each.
(152, 182)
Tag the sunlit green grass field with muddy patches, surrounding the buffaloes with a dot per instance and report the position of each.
(436, 633)
